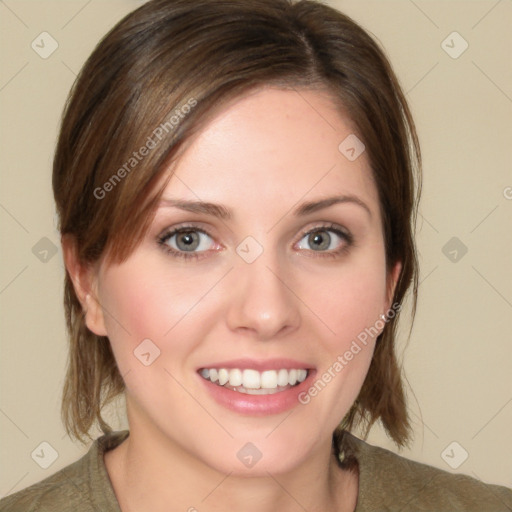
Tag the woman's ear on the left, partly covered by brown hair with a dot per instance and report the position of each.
(84, 278)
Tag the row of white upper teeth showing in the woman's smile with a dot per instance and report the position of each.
(254, 382)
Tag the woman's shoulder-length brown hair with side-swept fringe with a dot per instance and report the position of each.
(184, 60)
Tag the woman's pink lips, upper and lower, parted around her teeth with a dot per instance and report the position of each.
(258, 405)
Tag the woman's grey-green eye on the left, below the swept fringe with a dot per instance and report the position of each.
(186, 242)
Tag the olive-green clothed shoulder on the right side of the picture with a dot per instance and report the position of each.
(388, 481)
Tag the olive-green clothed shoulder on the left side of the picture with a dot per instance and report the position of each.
(81, 486)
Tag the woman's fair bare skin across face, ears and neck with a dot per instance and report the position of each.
(261, 156)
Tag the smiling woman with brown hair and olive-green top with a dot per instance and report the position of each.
(236, 184)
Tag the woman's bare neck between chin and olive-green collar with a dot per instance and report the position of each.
(150, 473)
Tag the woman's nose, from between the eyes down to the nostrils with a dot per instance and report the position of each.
(262, 302)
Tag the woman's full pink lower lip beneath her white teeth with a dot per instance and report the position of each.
(258, 405)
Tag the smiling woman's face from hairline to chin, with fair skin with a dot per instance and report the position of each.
(271, 286)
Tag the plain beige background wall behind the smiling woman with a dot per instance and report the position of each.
(459, 357)
